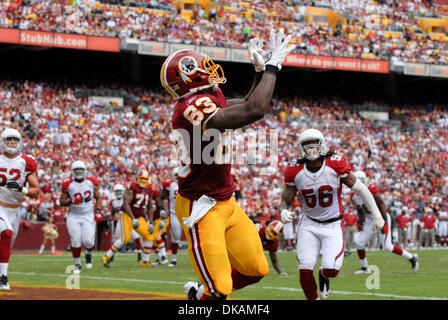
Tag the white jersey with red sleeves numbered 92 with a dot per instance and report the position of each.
(83, 190)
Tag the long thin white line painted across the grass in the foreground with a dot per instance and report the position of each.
(251, 287)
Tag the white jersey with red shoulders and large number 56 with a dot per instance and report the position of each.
(319, 192)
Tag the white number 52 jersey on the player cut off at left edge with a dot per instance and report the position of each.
(16, 169)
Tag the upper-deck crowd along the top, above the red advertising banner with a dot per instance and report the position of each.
(230, 24)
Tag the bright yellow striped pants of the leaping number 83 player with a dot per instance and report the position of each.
(224, 238)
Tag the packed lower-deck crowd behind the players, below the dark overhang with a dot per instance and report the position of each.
(407, 159)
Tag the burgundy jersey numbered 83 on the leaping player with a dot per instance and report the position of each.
(196, 177)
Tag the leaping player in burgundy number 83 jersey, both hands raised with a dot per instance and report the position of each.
(223, 243)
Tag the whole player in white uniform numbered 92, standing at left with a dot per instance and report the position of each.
(78, 194)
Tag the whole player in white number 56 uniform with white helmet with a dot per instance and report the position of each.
(318, 178)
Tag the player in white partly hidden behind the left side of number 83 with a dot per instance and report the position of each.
(168, 196)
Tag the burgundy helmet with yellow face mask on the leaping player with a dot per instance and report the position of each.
(185, 72)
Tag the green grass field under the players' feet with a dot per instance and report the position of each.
(396, 280)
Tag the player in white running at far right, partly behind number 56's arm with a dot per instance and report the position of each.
(366, 233)
